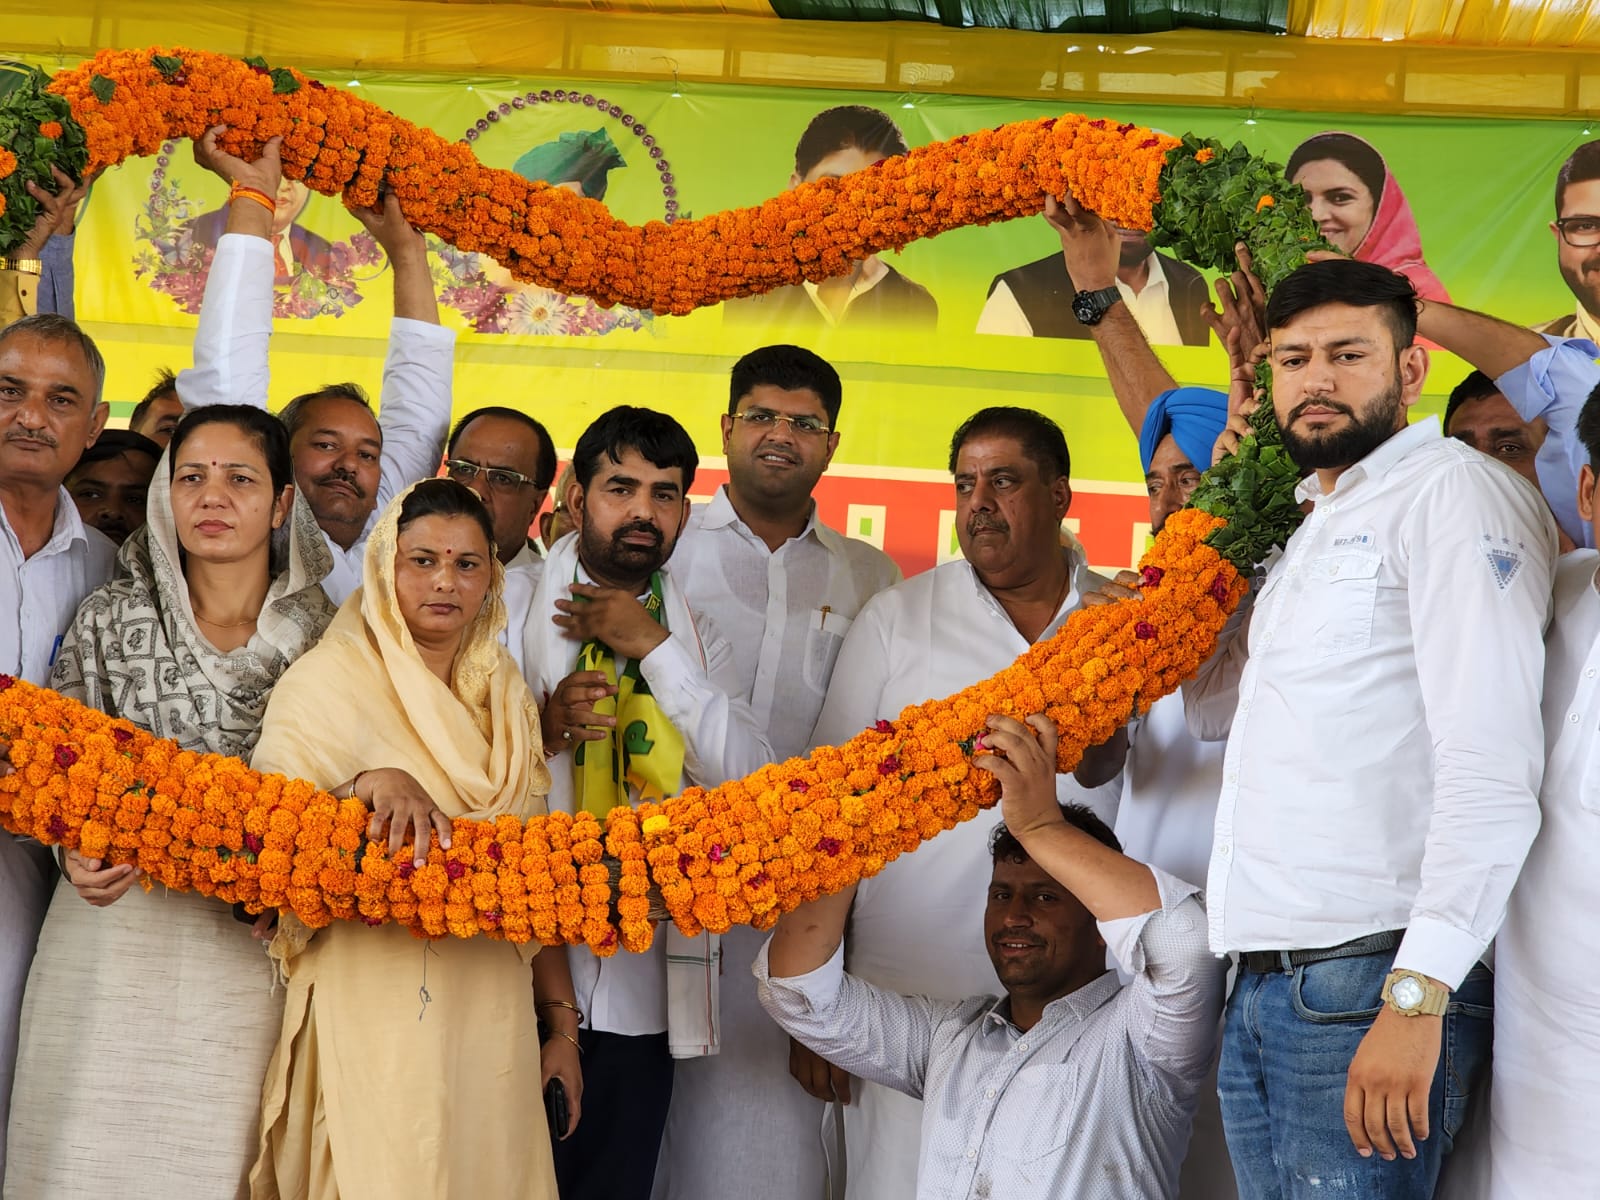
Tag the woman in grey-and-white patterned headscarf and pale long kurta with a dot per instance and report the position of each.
(148, 1022)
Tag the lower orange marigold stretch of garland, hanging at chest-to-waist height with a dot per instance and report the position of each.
(740, 854)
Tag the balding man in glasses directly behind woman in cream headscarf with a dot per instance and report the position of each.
(510, 460)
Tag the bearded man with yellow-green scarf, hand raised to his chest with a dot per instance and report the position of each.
(638, 700)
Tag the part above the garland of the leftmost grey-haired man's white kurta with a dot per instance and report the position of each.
(41, 594)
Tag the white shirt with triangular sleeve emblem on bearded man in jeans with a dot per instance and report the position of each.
(1385, 758)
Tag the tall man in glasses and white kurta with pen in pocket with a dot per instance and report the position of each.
(783, 590)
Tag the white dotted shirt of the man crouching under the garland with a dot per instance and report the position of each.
(1092, 1103)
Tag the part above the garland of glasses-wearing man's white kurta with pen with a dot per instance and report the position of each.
(785, 612)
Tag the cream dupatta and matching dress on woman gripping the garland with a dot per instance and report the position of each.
(407, 1068)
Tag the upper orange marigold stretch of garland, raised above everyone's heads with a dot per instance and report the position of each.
(130, 102)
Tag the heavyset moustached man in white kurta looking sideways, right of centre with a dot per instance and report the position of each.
(913, 929)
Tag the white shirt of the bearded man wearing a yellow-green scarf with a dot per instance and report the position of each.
(692, 681)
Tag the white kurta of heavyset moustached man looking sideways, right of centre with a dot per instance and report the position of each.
(918, 927)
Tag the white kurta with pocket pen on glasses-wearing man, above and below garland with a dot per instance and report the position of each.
(785, 615)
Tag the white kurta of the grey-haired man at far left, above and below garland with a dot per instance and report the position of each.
(39, 598)
